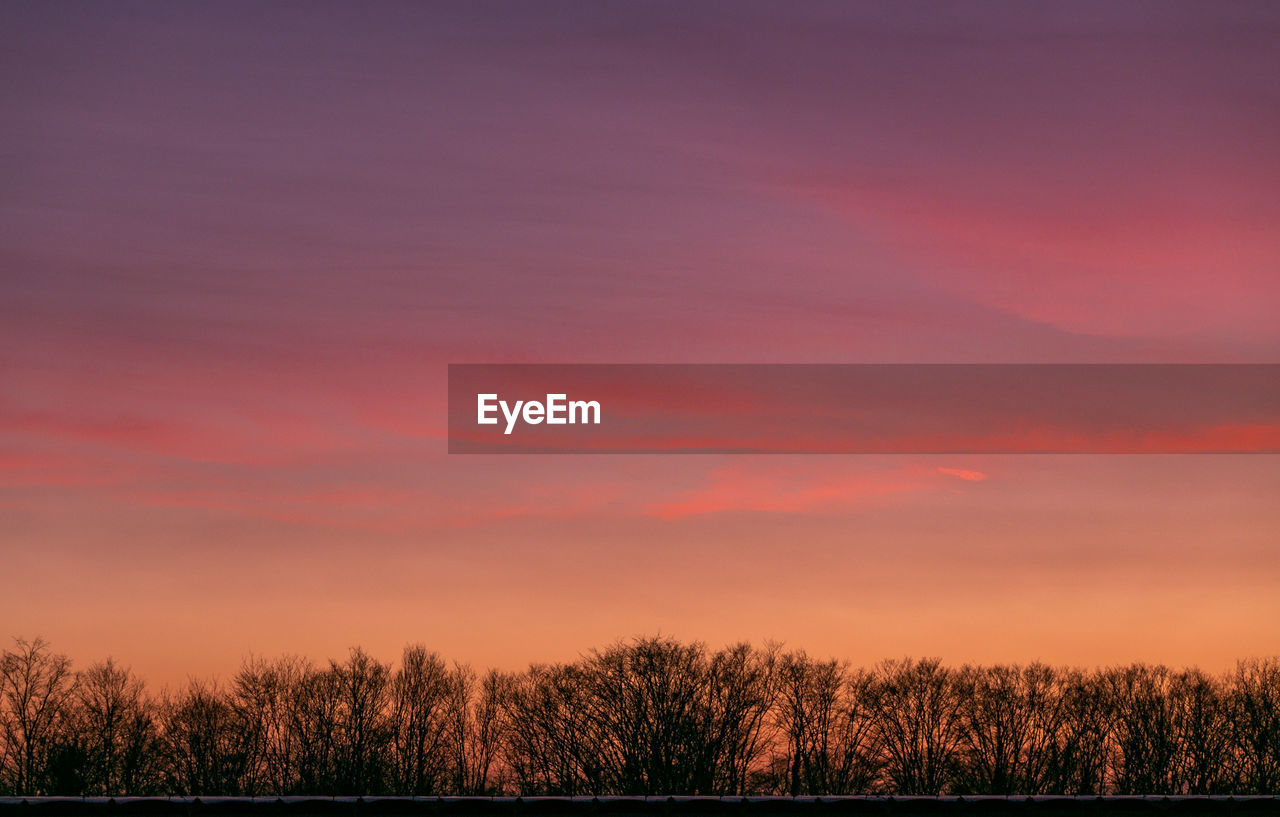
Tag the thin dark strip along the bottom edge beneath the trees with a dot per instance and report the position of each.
(638, 807)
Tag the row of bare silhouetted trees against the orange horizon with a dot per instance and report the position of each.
(642, 718)
